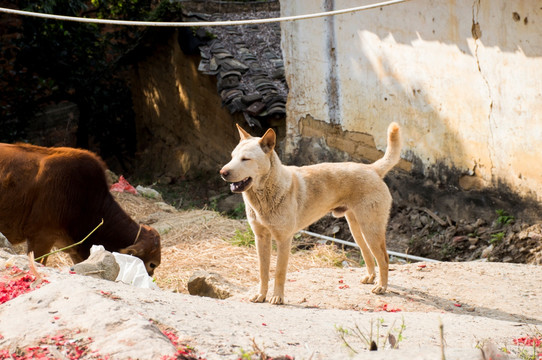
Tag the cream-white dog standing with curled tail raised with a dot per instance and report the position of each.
(280, 200)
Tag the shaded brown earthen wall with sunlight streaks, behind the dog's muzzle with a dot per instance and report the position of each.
(182, 129)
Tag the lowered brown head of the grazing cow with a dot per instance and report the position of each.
(146, 247)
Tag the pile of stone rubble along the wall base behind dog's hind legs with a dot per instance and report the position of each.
(421, 232)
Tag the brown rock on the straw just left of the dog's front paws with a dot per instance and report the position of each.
(211, 285)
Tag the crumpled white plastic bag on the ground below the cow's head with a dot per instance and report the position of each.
(132, 270)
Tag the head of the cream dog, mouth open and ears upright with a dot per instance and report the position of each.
(250, 160)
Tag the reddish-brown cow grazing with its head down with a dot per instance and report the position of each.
(56, 196)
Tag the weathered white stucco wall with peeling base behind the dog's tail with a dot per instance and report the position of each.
(471, 104)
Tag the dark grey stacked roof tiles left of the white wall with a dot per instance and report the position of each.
(247, 61)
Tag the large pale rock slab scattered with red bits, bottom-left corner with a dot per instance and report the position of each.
(83, 308)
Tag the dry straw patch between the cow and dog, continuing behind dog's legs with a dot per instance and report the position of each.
(200, 240)
